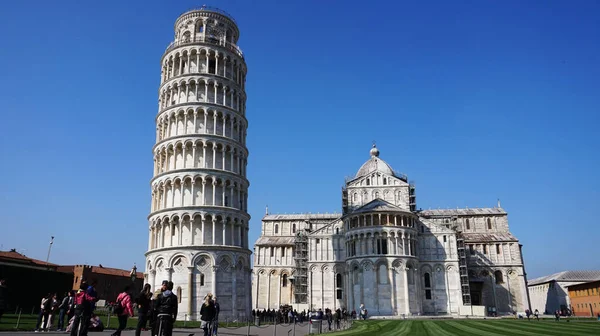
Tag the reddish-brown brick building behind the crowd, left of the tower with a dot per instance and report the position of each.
(110, 281)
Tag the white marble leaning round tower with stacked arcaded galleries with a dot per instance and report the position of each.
(198, 224)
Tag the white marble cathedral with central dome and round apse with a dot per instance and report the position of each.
(383, 252)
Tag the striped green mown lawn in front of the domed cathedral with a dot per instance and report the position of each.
(472, 328)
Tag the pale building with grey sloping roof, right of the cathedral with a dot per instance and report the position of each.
(549, 293)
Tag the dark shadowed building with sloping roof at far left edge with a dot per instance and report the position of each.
(29, 279)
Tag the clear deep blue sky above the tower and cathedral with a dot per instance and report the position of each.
(474, 100)
